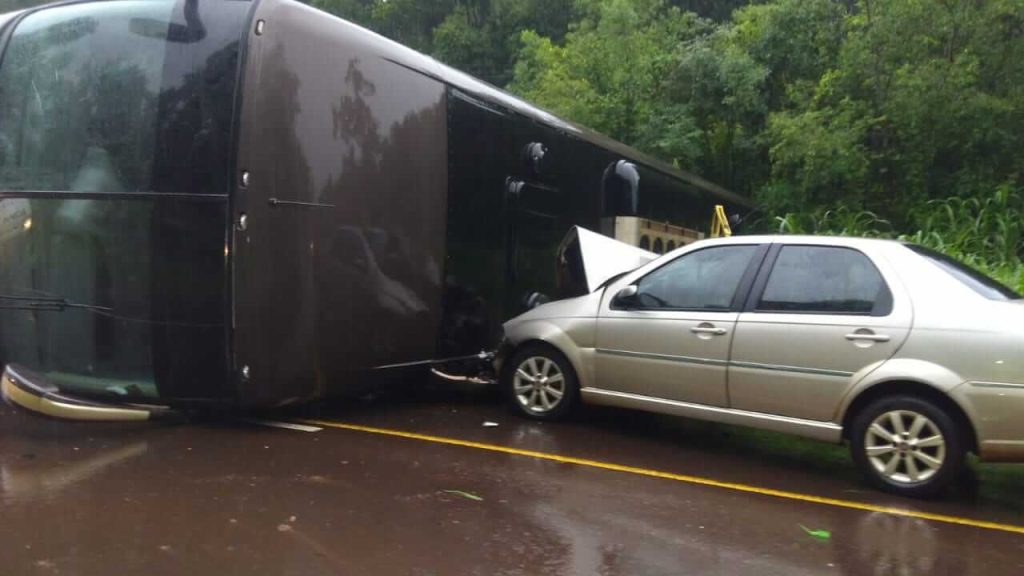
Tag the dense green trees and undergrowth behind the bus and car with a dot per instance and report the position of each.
(878, 117)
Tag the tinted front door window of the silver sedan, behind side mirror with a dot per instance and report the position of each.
(704, 280)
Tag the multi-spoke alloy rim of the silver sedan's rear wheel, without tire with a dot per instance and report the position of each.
(906, 447)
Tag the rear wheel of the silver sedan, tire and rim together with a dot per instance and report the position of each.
(909, 446)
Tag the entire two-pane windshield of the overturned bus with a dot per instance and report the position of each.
(115, 146)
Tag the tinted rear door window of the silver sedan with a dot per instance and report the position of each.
(824, 280)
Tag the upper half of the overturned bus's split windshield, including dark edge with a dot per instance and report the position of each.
(125, 96)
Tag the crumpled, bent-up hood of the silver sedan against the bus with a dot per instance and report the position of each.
(587, 260)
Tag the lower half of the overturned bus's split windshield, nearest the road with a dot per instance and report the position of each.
(102, 306)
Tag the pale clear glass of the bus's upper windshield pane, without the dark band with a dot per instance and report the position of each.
(78, 97)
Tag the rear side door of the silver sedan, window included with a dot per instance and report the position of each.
(818, 315)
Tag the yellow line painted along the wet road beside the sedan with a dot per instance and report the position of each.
(677, 477)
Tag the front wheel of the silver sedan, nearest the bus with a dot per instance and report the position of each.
(539, 383)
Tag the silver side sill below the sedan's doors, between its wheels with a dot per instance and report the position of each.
(828, 432)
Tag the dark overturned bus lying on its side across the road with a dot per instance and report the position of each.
(251, 204)
